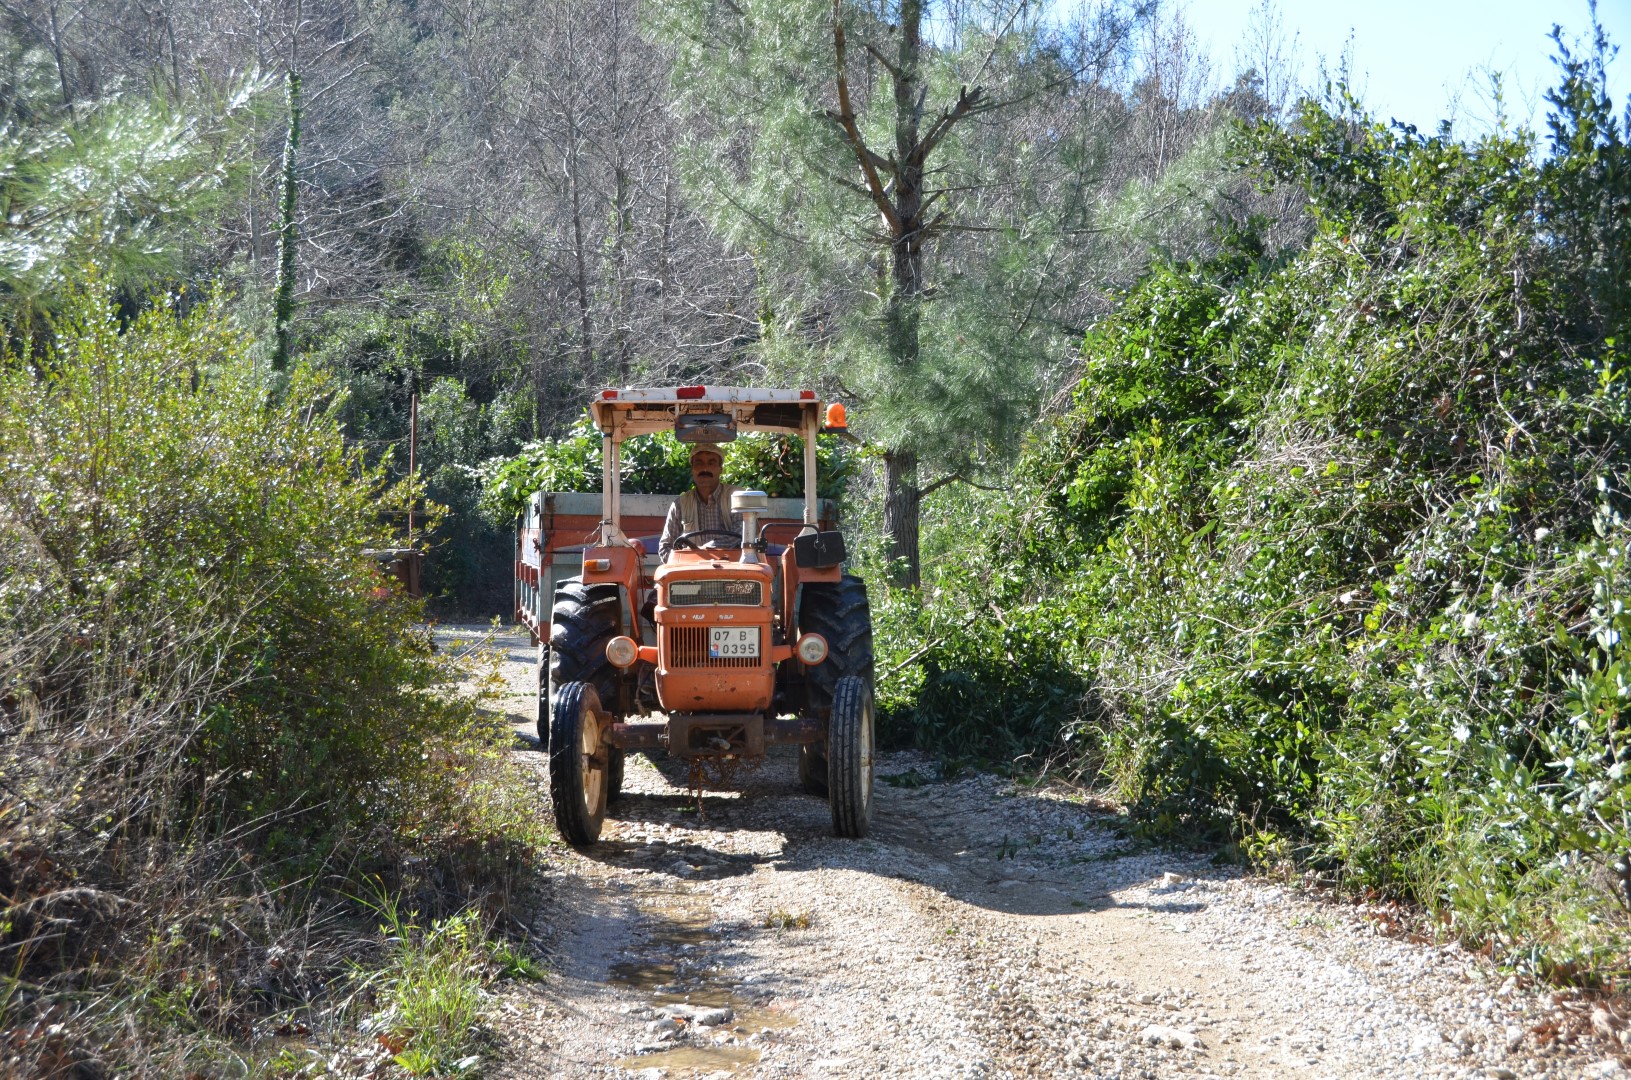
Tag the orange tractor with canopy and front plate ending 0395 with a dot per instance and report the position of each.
(754, 639)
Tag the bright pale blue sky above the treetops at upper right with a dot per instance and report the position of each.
(1413, 58)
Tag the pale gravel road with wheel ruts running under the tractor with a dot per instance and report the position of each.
(986, 929)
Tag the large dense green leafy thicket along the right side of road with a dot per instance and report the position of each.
(1328, 552)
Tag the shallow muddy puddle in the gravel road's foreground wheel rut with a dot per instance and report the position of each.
(666, 975)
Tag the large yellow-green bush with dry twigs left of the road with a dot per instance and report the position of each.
(210, 694)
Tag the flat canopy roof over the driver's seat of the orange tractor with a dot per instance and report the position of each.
(705, 414)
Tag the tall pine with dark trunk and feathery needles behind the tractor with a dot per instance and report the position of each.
(906, 201)
